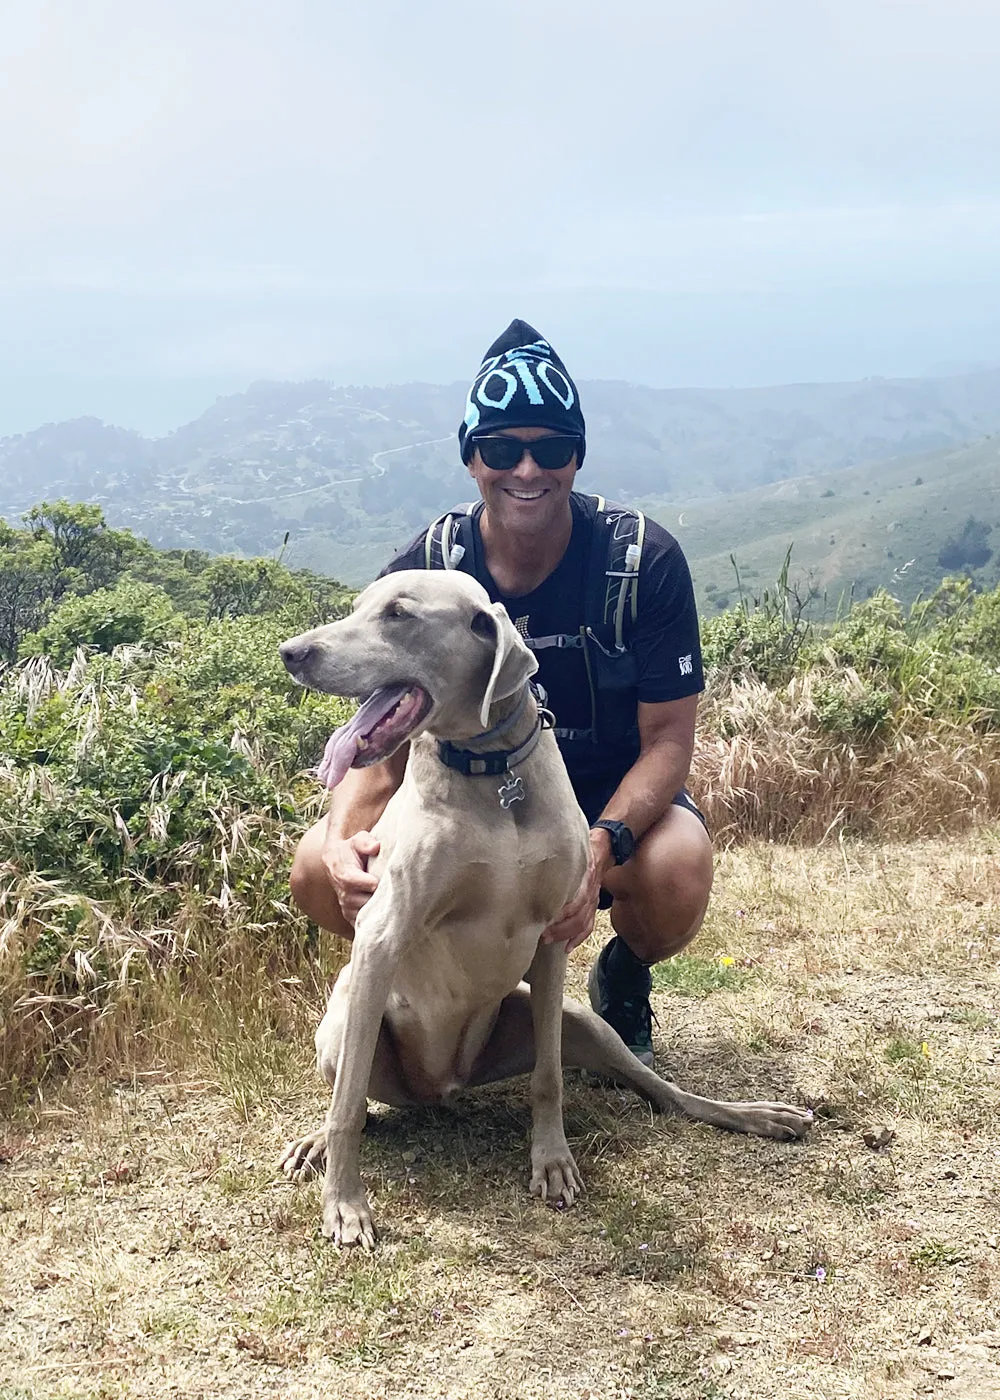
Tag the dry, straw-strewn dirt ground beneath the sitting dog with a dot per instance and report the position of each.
(149, 1249)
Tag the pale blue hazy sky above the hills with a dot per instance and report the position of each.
(201, 194)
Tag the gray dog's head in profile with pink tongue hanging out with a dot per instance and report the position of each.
(431, 650)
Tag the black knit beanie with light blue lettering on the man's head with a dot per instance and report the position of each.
(522, 384)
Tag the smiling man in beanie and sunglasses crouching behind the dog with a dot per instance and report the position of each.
(523, 442)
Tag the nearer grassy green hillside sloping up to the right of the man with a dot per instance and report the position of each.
(884, 526)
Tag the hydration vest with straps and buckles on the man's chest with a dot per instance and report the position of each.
(611, 607)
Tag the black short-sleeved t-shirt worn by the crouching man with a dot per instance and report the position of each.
(665, 642)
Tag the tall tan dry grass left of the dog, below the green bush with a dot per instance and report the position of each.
(109, 985)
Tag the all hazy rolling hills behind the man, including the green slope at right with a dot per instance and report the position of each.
(349, 474)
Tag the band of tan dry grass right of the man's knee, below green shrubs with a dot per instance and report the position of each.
(765, 769)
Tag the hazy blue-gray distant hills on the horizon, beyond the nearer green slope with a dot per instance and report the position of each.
(349, 474)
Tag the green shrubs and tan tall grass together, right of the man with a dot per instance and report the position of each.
(886, 723)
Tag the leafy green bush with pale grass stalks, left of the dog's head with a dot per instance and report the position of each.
(123, 769)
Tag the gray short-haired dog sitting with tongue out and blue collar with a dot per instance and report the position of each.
(481, 848)
